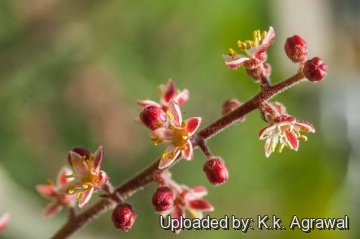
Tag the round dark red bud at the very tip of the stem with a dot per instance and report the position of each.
(315, 69)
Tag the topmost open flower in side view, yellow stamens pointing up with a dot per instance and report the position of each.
(255, 51)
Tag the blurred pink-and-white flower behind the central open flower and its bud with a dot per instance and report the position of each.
(167, 94)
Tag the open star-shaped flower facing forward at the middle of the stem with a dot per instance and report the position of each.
(177, 133)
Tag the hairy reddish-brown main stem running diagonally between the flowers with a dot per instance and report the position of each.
(150, 173)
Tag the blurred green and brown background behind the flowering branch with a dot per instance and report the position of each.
(71, 72)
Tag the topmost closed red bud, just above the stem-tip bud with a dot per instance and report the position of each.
(296, 49)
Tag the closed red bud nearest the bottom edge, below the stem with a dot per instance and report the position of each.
(123, 217)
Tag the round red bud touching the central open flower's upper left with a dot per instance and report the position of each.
(153, 117)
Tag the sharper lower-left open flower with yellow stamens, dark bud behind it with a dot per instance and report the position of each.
(87, 176)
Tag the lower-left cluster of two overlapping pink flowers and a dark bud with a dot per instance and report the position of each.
(76, 184)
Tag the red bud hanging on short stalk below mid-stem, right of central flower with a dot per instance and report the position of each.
(216, 171)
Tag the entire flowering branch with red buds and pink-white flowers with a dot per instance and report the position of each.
(165, 121)
